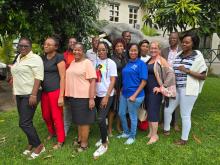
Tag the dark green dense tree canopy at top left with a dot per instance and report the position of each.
(39, 19)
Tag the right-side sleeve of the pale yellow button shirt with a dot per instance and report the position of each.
(37, 67)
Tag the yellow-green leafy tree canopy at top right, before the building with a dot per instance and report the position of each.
(171, 15)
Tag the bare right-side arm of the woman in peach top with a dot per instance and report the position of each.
(92, 92)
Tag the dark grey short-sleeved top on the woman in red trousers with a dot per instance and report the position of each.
(51, 73)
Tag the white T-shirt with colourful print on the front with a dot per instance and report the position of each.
(105, 70)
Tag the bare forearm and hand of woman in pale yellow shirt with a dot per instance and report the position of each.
(33, 96)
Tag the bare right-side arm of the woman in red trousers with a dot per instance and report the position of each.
(62, 71)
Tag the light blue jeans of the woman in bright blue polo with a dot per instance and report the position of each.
(132, 108)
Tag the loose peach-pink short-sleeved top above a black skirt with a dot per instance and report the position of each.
(77, 79)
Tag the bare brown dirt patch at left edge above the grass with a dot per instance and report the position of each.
(7, 101)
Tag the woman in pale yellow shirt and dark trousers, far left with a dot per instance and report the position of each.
(27, 72)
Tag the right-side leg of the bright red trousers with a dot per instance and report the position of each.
(57, 115)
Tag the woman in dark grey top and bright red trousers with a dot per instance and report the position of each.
(52, 99)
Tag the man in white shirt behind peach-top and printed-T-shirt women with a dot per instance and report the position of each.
(91, 54)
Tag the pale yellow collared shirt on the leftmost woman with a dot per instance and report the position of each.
(24, 71)
